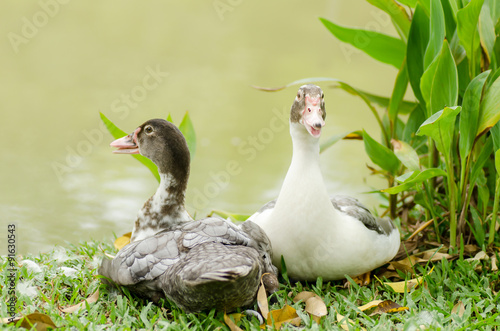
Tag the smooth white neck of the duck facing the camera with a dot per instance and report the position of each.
(303, 179)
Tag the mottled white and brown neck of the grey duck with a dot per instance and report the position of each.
(164, 210)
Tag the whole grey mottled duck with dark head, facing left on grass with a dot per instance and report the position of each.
(199, 265)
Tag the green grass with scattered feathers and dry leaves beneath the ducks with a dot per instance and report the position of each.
(45, 285)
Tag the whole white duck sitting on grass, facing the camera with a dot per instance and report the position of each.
(317, 235)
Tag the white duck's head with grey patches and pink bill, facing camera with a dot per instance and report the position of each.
(308, 109)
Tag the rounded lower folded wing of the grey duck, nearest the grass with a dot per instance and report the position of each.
(214, 275)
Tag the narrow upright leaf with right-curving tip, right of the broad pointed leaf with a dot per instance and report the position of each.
(470, 113)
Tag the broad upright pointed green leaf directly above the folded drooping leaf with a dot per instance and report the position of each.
(439, 83)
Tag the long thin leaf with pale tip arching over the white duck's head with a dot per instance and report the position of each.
(405, 107)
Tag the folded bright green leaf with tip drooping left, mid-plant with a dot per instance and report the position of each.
(440, 127)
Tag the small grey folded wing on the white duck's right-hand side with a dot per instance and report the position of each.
(354, 208)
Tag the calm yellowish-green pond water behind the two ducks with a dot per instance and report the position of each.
(63, 62)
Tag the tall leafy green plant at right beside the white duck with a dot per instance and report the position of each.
(442, 148)
